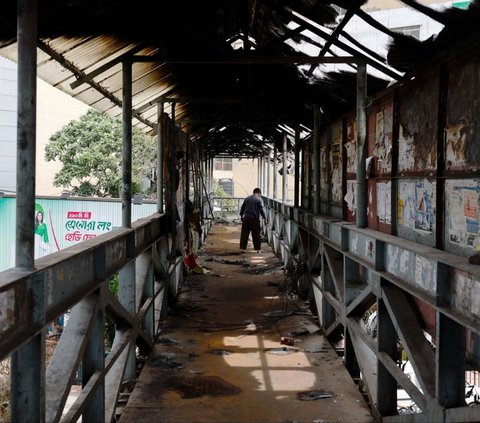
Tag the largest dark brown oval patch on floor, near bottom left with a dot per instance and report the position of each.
(199, 386)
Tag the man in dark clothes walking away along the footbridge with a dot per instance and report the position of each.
(250, 212)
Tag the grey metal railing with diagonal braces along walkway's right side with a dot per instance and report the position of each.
(353, 270)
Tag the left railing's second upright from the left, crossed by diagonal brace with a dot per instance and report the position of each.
(93, 361)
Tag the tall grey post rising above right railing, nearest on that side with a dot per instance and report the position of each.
(361, 200)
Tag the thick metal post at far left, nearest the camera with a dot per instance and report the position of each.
(28, 370)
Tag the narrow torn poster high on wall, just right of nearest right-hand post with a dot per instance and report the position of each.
(383, 139)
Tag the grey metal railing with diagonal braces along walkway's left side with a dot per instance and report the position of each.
(76, 280)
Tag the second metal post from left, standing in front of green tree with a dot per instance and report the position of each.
(126, 276)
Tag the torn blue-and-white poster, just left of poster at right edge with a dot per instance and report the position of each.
(416, 205)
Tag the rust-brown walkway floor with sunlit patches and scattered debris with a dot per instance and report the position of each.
(219, 356)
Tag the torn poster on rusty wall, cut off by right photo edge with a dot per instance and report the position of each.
(463, 212)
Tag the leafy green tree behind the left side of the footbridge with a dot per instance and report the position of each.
(90, 150)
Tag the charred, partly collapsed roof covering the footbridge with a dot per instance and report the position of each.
(230, 66)
